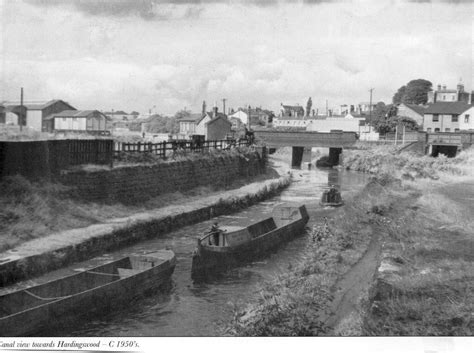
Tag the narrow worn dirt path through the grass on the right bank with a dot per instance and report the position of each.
(344, 317)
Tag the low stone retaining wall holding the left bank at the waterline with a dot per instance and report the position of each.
(127, 232)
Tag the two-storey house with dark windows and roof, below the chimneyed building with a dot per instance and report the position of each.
(444, 116)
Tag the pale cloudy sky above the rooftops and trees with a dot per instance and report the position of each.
(167, 55)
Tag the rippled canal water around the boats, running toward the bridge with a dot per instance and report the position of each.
(203, 309)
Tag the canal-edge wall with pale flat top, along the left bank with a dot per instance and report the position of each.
(45, 254)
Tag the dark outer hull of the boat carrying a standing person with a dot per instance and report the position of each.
(209, 261)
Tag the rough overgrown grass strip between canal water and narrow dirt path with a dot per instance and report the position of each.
(294, 303)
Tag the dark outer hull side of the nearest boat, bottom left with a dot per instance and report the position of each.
(104, 298)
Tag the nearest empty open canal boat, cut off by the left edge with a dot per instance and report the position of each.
(102, 288)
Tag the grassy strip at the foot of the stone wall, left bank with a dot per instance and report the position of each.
(31, 210)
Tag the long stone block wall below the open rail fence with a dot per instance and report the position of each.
(135, 184)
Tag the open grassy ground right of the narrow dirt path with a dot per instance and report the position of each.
(425, 279)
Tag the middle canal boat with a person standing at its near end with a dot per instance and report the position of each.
(217, 252)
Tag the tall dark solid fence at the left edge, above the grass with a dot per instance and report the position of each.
(35, 159)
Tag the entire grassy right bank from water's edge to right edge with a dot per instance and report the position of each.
(419, 211)
